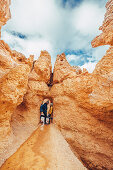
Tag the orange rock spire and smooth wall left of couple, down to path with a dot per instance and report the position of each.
(26, 117)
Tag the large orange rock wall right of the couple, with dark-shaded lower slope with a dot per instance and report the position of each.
(81, 112)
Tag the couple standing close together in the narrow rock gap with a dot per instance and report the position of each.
(46, 110)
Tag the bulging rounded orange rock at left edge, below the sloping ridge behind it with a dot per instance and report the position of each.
(13, 86)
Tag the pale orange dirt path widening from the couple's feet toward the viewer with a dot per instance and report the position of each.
(46, 149)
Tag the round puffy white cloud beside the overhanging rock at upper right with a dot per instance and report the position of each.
(88, 17)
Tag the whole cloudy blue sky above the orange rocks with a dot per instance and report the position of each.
(57, 26)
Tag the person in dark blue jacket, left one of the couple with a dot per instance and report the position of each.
(43, 109)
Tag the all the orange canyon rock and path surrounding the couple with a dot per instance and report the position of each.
(81, 135)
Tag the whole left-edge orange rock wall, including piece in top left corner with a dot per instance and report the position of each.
(13, 84)
